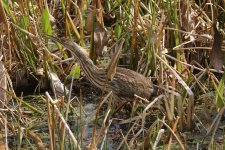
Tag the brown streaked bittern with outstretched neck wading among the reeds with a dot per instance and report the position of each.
(124, 83)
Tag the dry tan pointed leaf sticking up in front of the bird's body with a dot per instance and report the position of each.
(111, 69)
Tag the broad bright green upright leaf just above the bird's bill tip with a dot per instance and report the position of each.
(45, 20)
